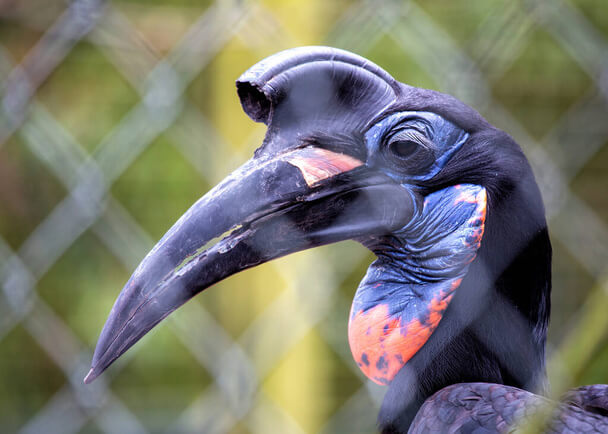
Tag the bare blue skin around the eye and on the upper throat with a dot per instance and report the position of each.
(421, 261)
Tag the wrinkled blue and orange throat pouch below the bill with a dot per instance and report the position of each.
(391, 319)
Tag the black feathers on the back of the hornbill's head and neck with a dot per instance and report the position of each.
(495, 328)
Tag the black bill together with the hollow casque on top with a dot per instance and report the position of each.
(289, 197)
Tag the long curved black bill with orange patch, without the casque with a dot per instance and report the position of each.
(303, 198)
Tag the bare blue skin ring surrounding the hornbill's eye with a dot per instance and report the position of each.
(445, 137)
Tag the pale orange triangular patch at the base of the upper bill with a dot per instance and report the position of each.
(317, 164)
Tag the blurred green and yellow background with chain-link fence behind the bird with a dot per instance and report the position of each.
(116, 116)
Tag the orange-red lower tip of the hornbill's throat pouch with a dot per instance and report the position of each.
(381, 345)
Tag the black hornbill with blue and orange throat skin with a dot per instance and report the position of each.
(453, 313)
